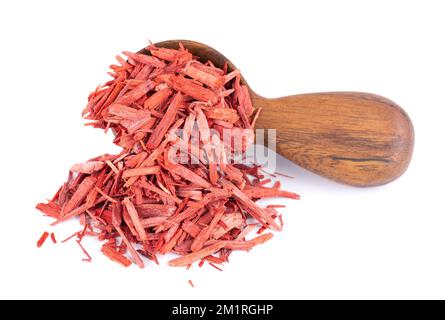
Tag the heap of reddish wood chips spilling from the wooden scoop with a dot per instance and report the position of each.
(143, 203)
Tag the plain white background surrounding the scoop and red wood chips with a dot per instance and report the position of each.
(338, 242)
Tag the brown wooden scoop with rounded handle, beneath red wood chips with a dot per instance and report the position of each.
(355, 138)
